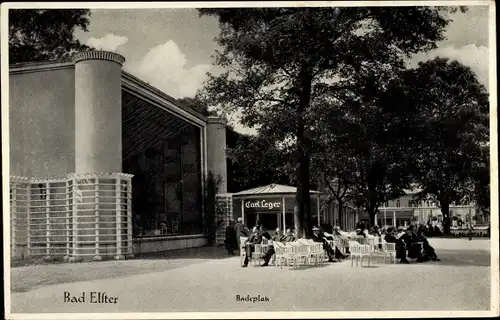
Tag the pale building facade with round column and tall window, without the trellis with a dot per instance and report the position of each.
(88, 116)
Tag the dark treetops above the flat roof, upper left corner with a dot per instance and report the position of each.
(45, 34)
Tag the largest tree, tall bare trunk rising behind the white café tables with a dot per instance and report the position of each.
(280, 60)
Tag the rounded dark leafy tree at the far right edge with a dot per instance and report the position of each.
(453, 111)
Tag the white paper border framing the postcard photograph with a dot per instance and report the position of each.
(240, 315)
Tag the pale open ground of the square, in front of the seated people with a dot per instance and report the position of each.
(206, 279)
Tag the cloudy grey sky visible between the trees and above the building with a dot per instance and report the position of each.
(172, 49)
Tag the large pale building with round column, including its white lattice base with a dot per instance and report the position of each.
(89, 118)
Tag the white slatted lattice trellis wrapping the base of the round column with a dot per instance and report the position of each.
(76, 217)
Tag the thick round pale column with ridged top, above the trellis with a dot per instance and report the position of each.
(98, 111)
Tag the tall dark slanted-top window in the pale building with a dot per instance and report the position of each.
(163, 152)
